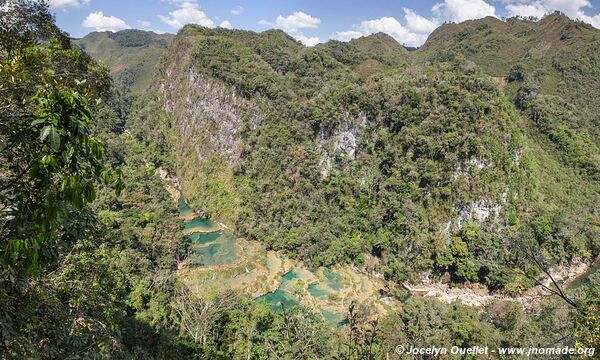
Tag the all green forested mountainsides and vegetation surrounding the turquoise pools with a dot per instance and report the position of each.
(456, 163)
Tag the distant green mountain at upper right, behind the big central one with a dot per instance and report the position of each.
(562, 53)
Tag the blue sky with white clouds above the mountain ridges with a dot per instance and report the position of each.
(309, 21)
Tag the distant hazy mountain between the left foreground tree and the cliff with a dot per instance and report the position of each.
(132, 55)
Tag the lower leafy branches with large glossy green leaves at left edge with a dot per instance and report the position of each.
(53, 166)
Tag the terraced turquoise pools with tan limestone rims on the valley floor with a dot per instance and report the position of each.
(220, 260)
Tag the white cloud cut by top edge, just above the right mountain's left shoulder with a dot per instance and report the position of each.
(461, 10)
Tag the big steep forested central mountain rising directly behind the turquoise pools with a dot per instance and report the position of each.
(412, 167)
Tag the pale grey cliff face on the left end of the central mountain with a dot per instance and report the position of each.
(210, 122)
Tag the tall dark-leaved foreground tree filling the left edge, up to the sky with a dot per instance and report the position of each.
(50, 163)
